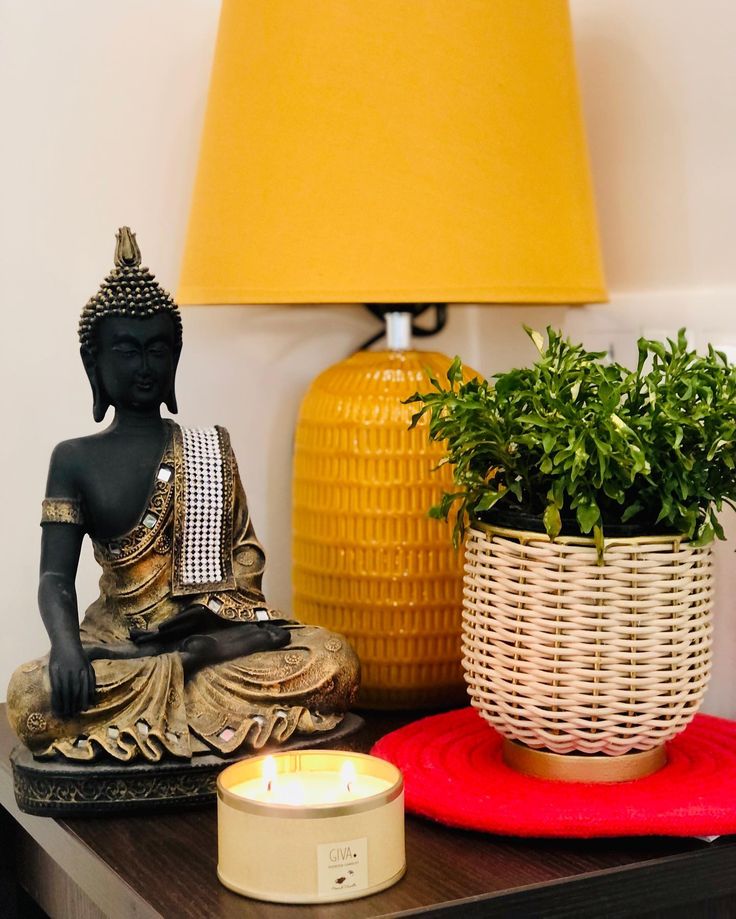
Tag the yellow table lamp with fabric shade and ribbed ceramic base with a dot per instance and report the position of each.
(397, 154)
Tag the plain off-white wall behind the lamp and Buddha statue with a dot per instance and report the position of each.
(102, 106)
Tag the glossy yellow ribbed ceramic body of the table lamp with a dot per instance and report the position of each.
(368, 561)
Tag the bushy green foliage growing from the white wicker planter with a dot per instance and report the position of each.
(575, 436)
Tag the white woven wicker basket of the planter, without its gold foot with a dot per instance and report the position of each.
(566, 655)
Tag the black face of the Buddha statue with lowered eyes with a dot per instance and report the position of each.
(136, 360)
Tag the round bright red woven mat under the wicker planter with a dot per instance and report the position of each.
(454, 773)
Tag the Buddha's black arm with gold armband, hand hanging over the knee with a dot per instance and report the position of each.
(70, 671)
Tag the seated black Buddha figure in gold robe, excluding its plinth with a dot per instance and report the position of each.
(181, 654)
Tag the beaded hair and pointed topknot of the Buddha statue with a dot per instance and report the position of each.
(129, 290)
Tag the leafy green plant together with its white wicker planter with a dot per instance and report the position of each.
(590, 495)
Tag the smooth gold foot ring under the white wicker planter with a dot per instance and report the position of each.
(581, 767)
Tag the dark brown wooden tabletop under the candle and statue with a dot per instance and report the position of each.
(164, 865)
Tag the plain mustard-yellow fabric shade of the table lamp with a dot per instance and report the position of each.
(393, 151)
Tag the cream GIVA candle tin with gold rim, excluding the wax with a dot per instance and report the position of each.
(310, 853)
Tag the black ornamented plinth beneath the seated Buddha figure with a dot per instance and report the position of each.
(53, 788)
